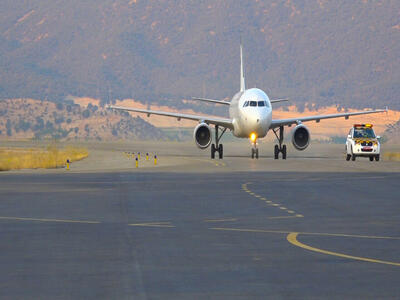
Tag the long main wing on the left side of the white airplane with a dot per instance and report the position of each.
(227, 123)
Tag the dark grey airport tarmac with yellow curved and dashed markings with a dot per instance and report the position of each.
(313, 226)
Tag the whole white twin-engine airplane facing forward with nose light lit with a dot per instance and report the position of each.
(250, 116)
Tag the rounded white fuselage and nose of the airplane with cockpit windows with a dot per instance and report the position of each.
(251, 113)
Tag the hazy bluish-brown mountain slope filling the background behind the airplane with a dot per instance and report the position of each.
(323, 52)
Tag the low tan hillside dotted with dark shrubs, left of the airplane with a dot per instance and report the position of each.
(27, 118)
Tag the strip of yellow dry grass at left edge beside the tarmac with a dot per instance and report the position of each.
(51, 157)
